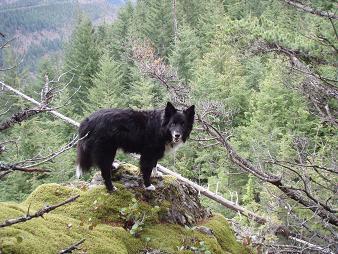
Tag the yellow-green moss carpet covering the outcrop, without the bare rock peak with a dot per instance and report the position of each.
(95, 216)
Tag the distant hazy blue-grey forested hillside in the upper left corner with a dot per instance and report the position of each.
(40, 28)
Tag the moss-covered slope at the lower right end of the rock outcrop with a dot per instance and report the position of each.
(225, 235)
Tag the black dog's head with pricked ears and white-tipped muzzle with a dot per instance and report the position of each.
(178, 124)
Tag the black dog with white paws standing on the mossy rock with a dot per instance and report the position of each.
(148, 133)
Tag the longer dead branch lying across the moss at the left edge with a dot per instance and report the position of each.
(37, 214)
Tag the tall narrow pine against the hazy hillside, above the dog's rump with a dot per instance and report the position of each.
(81, 58)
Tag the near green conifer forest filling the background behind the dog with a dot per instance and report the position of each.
(263, 76)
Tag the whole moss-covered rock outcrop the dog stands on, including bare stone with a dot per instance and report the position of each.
(129, 221)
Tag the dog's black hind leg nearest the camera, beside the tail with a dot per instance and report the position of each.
(104, 161)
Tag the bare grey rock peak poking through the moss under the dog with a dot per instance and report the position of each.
(179, 202)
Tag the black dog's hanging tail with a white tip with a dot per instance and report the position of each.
(84, 160)
